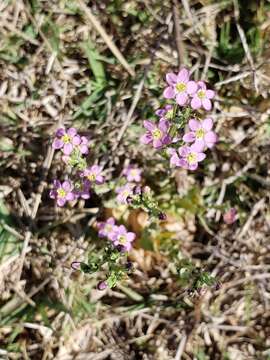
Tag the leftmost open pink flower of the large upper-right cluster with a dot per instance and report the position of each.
(156, 134)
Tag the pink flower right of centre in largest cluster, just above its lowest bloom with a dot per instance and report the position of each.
(201, 132)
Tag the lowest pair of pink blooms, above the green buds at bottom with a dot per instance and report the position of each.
(118, 235)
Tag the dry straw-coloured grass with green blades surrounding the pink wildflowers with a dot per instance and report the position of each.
(57, 68)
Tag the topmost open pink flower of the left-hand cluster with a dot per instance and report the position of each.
(66, 140)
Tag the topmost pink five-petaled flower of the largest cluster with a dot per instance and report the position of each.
(179, 87)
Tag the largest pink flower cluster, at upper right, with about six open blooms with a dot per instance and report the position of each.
(200, 135)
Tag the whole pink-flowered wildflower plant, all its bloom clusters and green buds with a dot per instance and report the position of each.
(179, 133)
